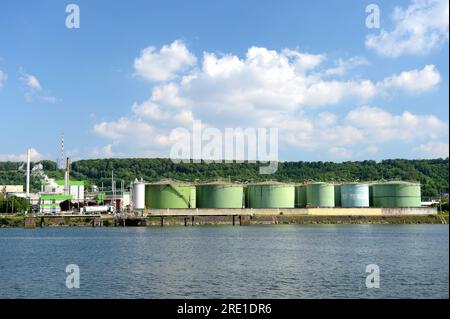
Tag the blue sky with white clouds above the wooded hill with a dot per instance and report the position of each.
(136, 70)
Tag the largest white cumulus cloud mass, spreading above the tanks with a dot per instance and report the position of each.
(281, 89)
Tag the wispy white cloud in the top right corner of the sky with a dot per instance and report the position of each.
(418, 29)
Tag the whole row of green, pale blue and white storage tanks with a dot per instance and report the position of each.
(170, 194)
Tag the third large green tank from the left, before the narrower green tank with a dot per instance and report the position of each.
(271, 195)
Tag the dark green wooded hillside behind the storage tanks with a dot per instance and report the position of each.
(432, 174)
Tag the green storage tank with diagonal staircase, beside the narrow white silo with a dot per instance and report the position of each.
(168, 194)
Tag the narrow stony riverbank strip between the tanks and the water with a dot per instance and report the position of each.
(244, 220)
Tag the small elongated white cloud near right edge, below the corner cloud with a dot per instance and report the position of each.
(415, 81)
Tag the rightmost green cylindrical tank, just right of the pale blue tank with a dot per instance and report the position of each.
(396, 194)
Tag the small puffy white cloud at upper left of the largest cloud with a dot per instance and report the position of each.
(163, 65)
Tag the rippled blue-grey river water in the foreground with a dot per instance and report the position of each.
(276, 261)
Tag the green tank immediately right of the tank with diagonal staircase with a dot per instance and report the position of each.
(220, 195)
